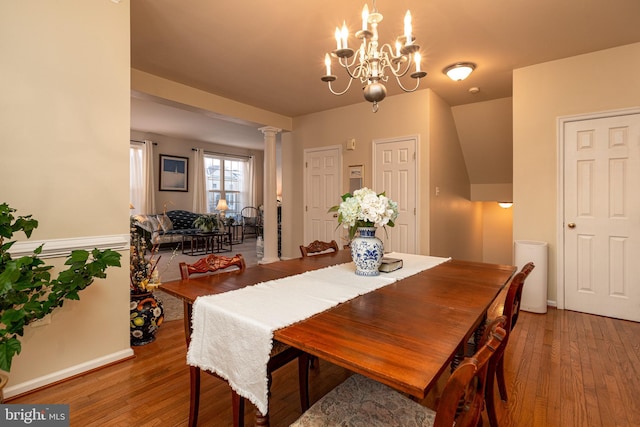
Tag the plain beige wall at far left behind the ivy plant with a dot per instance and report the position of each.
(65, 122)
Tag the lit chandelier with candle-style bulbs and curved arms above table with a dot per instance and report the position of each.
(374, 64)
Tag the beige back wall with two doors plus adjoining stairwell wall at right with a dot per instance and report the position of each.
(420, 113)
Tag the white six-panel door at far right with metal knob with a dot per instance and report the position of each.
(602, 216)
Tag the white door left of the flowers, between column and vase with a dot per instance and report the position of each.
(323, 188)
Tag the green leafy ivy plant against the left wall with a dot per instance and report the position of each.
(27, 290)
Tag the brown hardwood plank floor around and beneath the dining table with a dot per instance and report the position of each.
(563, 369)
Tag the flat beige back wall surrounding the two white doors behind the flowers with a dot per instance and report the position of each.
(397, 116)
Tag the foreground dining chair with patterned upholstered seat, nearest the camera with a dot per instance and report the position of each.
(361, 401)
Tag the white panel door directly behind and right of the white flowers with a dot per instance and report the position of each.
(394, 172)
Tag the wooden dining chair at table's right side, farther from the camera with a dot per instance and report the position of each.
(495, 372)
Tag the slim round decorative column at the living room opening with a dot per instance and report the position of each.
(270, 226)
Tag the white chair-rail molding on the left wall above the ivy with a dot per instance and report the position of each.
(55, 248)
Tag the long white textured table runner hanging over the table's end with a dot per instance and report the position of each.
(233, 331)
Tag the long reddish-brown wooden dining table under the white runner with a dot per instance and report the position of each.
(405, 334)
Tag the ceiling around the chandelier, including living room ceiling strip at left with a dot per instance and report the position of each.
(269, 54)
